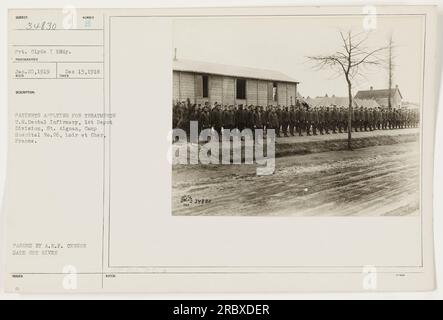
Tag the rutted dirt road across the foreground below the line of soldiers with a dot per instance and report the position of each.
(373, 181)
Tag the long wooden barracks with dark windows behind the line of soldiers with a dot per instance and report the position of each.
(229, 85)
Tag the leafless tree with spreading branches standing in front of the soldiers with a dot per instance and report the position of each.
(350, 60)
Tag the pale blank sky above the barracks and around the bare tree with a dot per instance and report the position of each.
(283, 44)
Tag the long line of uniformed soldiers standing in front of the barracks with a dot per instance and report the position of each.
(296, 119)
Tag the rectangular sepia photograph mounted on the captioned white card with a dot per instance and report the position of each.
(342, 95)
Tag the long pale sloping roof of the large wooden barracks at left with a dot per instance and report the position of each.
(229, 70)
